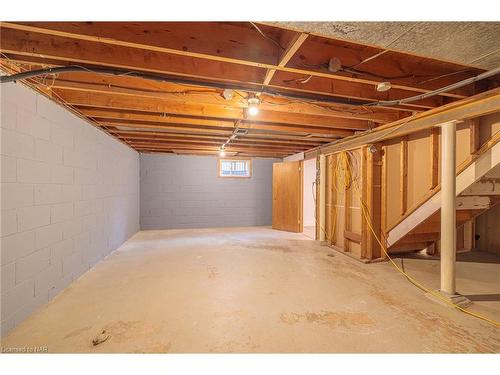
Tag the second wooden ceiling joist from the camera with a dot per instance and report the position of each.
(65, 50)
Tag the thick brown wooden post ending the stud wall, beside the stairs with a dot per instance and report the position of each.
(372, 197)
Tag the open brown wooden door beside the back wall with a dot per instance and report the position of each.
(287, 196)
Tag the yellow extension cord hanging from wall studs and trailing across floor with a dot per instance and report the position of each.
(344, 166)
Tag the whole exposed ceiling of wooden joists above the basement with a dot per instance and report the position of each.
(312, 89)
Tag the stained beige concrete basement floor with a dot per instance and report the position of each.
(259, 290)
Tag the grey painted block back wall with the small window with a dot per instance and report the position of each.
(185, 192)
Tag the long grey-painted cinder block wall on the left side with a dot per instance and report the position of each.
(69, 196)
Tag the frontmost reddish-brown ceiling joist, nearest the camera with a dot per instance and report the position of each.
(157, 37)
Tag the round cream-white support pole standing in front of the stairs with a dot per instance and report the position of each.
(448, 206)
